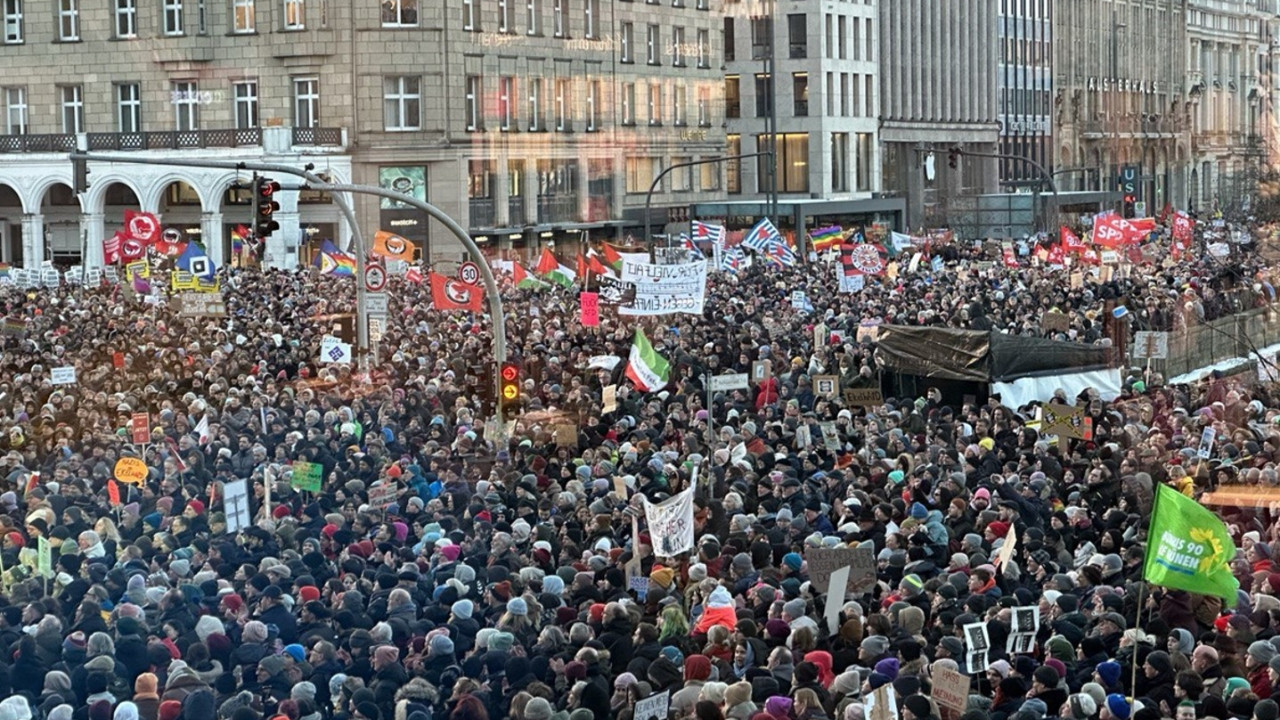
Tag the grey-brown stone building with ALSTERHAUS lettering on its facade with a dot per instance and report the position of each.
(1119, 97)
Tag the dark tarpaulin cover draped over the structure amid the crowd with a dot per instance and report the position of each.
(979, 356)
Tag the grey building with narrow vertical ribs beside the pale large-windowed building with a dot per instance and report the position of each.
(938, 92)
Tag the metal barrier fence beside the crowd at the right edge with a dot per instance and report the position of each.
(1199, 347)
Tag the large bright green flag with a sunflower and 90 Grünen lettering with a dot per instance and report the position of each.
(1190, 549)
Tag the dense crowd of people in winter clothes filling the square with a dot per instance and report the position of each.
(492, 581)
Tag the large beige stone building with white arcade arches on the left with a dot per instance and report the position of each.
(529, 121)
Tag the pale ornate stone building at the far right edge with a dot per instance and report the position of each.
(1228, 61)
